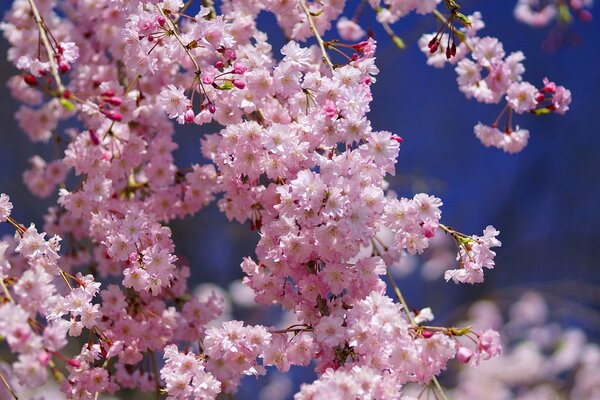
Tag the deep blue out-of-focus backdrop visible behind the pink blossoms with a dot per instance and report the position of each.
(544, 200)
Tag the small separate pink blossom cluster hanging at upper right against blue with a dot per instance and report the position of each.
(489, 75)
